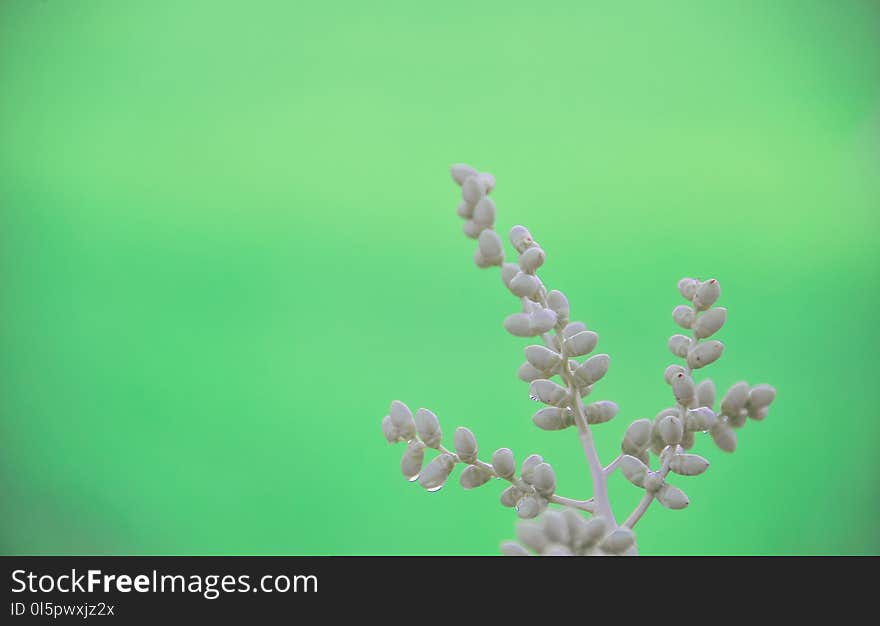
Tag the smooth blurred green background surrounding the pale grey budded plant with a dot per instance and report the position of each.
(228, 239)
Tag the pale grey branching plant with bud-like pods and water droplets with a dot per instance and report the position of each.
(557, 380)
